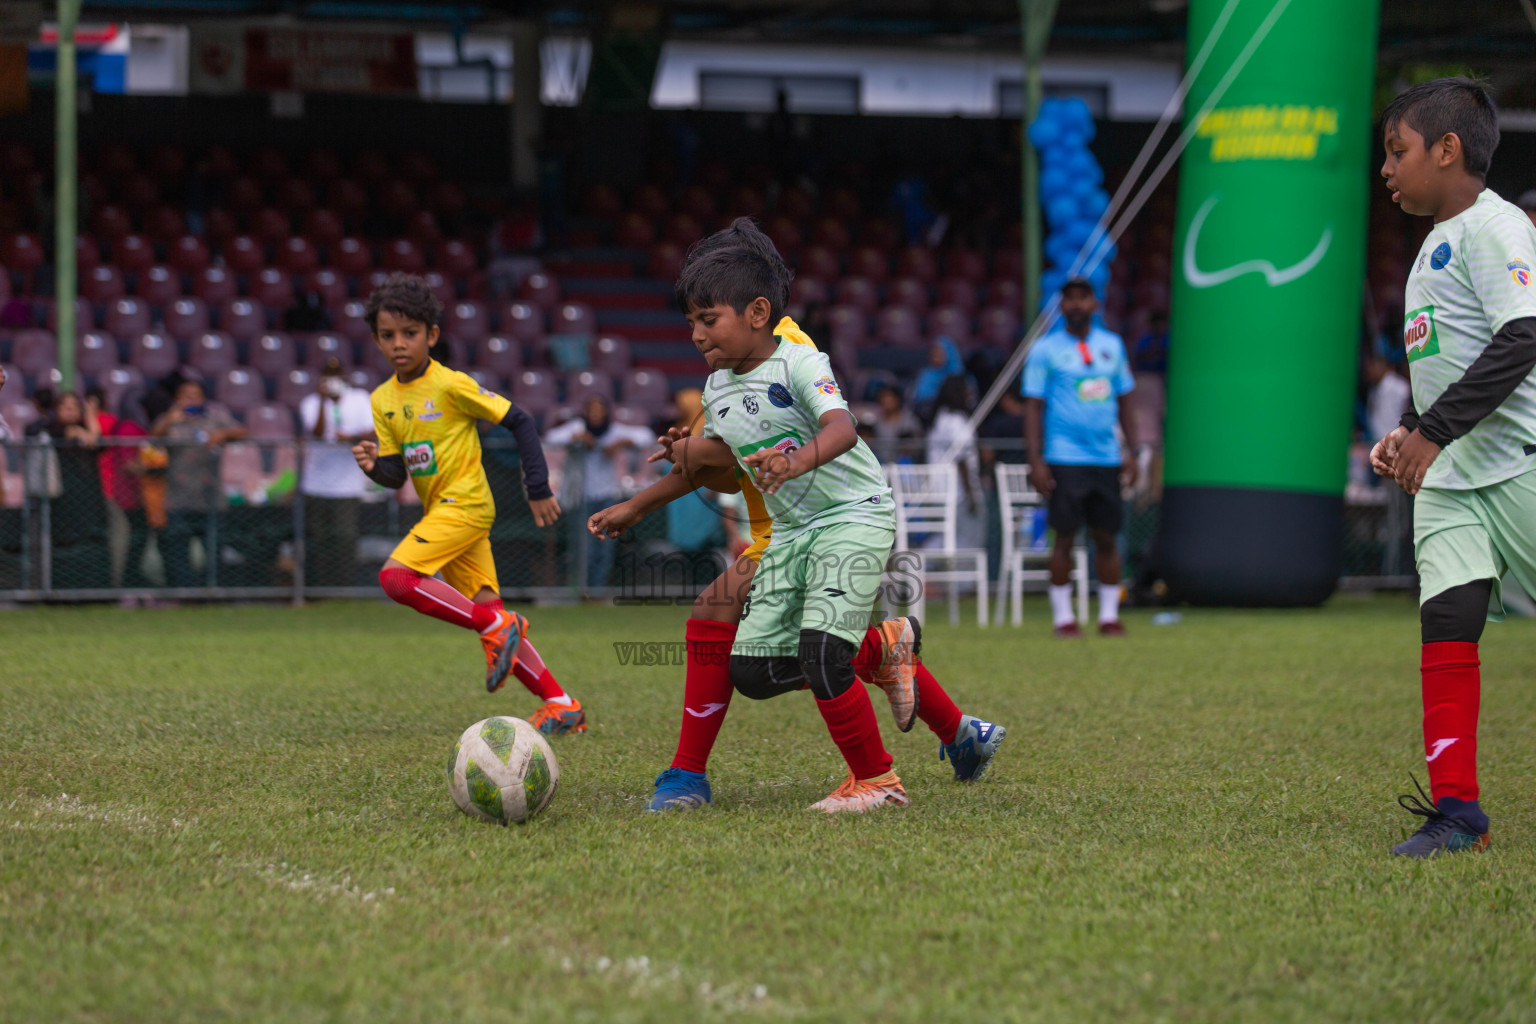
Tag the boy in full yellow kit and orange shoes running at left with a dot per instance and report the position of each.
(426, 423)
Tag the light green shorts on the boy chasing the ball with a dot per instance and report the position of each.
(824, 580)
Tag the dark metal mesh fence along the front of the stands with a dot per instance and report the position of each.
(153, 520)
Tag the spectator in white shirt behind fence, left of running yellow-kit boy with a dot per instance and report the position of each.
(334, 418)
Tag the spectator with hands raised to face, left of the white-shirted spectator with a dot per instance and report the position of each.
(193, 489)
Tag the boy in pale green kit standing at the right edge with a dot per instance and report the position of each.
(1469, 448)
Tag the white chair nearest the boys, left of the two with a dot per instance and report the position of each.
(927, 501)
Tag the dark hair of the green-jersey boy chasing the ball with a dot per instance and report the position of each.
(732, 268)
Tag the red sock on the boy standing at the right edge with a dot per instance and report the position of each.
(1452, 692)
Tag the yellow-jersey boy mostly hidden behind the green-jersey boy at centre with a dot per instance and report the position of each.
(887, 656)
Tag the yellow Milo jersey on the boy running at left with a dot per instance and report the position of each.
(431, 423)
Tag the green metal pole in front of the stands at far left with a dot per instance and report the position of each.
(65, 206)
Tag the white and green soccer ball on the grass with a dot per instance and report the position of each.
(503, 771)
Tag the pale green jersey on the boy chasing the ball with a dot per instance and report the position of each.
(780, 406)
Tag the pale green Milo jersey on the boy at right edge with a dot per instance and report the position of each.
(1472, 277)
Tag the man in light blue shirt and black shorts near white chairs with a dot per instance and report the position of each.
(1074, 380)
